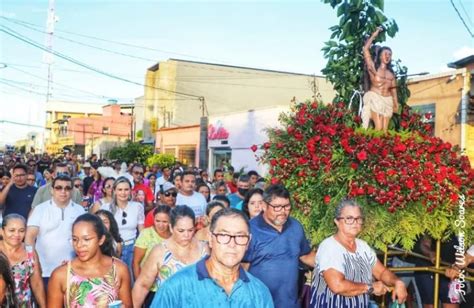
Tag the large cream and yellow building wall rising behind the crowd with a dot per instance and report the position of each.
(179, 92)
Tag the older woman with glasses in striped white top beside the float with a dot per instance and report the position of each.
(346, 265)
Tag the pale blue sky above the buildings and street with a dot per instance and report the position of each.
(278, 35)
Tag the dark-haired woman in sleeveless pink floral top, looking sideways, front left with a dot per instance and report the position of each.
(92, 279)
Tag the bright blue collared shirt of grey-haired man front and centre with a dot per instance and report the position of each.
(192, 287)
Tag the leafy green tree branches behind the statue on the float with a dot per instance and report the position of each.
(357, 20)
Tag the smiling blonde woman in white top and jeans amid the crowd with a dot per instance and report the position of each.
(129, 215)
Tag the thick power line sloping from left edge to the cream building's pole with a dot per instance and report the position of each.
(22, 38)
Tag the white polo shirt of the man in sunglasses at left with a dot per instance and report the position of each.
(53, 242)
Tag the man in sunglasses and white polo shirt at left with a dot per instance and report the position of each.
(49, 226)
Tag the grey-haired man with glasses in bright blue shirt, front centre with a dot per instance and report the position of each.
(217, 280)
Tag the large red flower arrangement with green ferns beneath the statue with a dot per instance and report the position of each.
(408, 182)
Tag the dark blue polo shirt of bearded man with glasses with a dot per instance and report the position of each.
(274, 258)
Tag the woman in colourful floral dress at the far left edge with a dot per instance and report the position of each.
(24, 263)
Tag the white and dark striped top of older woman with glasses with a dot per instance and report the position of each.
(356, 266)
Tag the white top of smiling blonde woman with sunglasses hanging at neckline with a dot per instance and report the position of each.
(135, 216)
